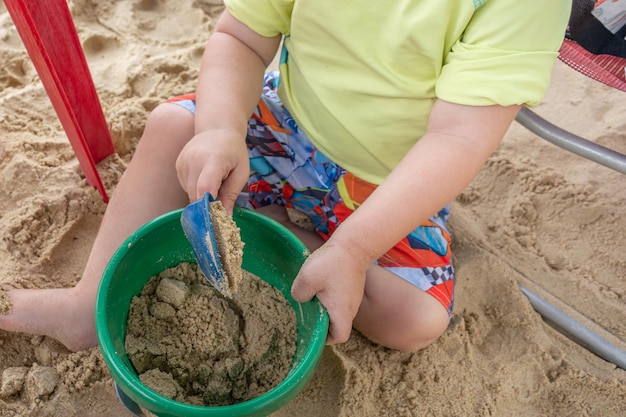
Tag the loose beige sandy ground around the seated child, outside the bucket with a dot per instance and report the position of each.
(536, 215)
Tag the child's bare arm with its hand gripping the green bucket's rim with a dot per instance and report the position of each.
(458, 141)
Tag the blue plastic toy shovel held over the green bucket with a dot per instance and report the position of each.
(198, 228)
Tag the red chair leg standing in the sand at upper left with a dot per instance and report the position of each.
(48, 32)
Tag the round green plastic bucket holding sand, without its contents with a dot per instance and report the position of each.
(271, 252)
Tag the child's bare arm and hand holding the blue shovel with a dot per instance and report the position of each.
(228, 90)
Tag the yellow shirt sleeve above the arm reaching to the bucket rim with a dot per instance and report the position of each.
(506, 53)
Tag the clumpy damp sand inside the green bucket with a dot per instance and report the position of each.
(191, 344)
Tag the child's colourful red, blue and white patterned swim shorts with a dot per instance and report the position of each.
(288, 170)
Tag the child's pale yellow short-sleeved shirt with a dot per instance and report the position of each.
(360, 77)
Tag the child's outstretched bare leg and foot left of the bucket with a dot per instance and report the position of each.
(148, 188)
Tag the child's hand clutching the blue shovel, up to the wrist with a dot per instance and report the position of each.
(214, 161)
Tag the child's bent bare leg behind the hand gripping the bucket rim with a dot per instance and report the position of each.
(393, 312)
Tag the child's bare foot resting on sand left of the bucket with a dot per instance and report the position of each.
(63, 314)
